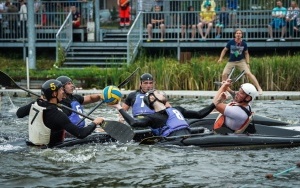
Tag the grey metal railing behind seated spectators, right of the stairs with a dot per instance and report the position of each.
(254, 24)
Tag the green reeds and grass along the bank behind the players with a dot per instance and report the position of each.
(274, 72)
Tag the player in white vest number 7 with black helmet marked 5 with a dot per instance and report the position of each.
(47, 123)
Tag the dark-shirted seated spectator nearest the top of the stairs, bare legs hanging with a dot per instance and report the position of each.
(157, 20)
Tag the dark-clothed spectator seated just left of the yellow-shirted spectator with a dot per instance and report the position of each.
(189, 21)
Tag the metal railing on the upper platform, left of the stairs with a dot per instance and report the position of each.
(48, 18)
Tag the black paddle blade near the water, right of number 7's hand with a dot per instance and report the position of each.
(119, 131)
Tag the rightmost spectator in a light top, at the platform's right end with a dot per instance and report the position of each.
(292, 17)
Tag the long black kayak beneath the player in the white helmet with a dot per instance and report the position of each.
(270, 137)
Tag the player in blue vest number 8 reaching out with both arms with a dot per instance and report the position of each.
(170, 121)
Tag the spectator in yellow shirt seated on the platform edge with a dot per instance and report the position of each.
(207, 18)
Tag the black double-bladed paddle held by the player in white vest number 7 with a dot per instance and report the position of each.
(117, 130)
